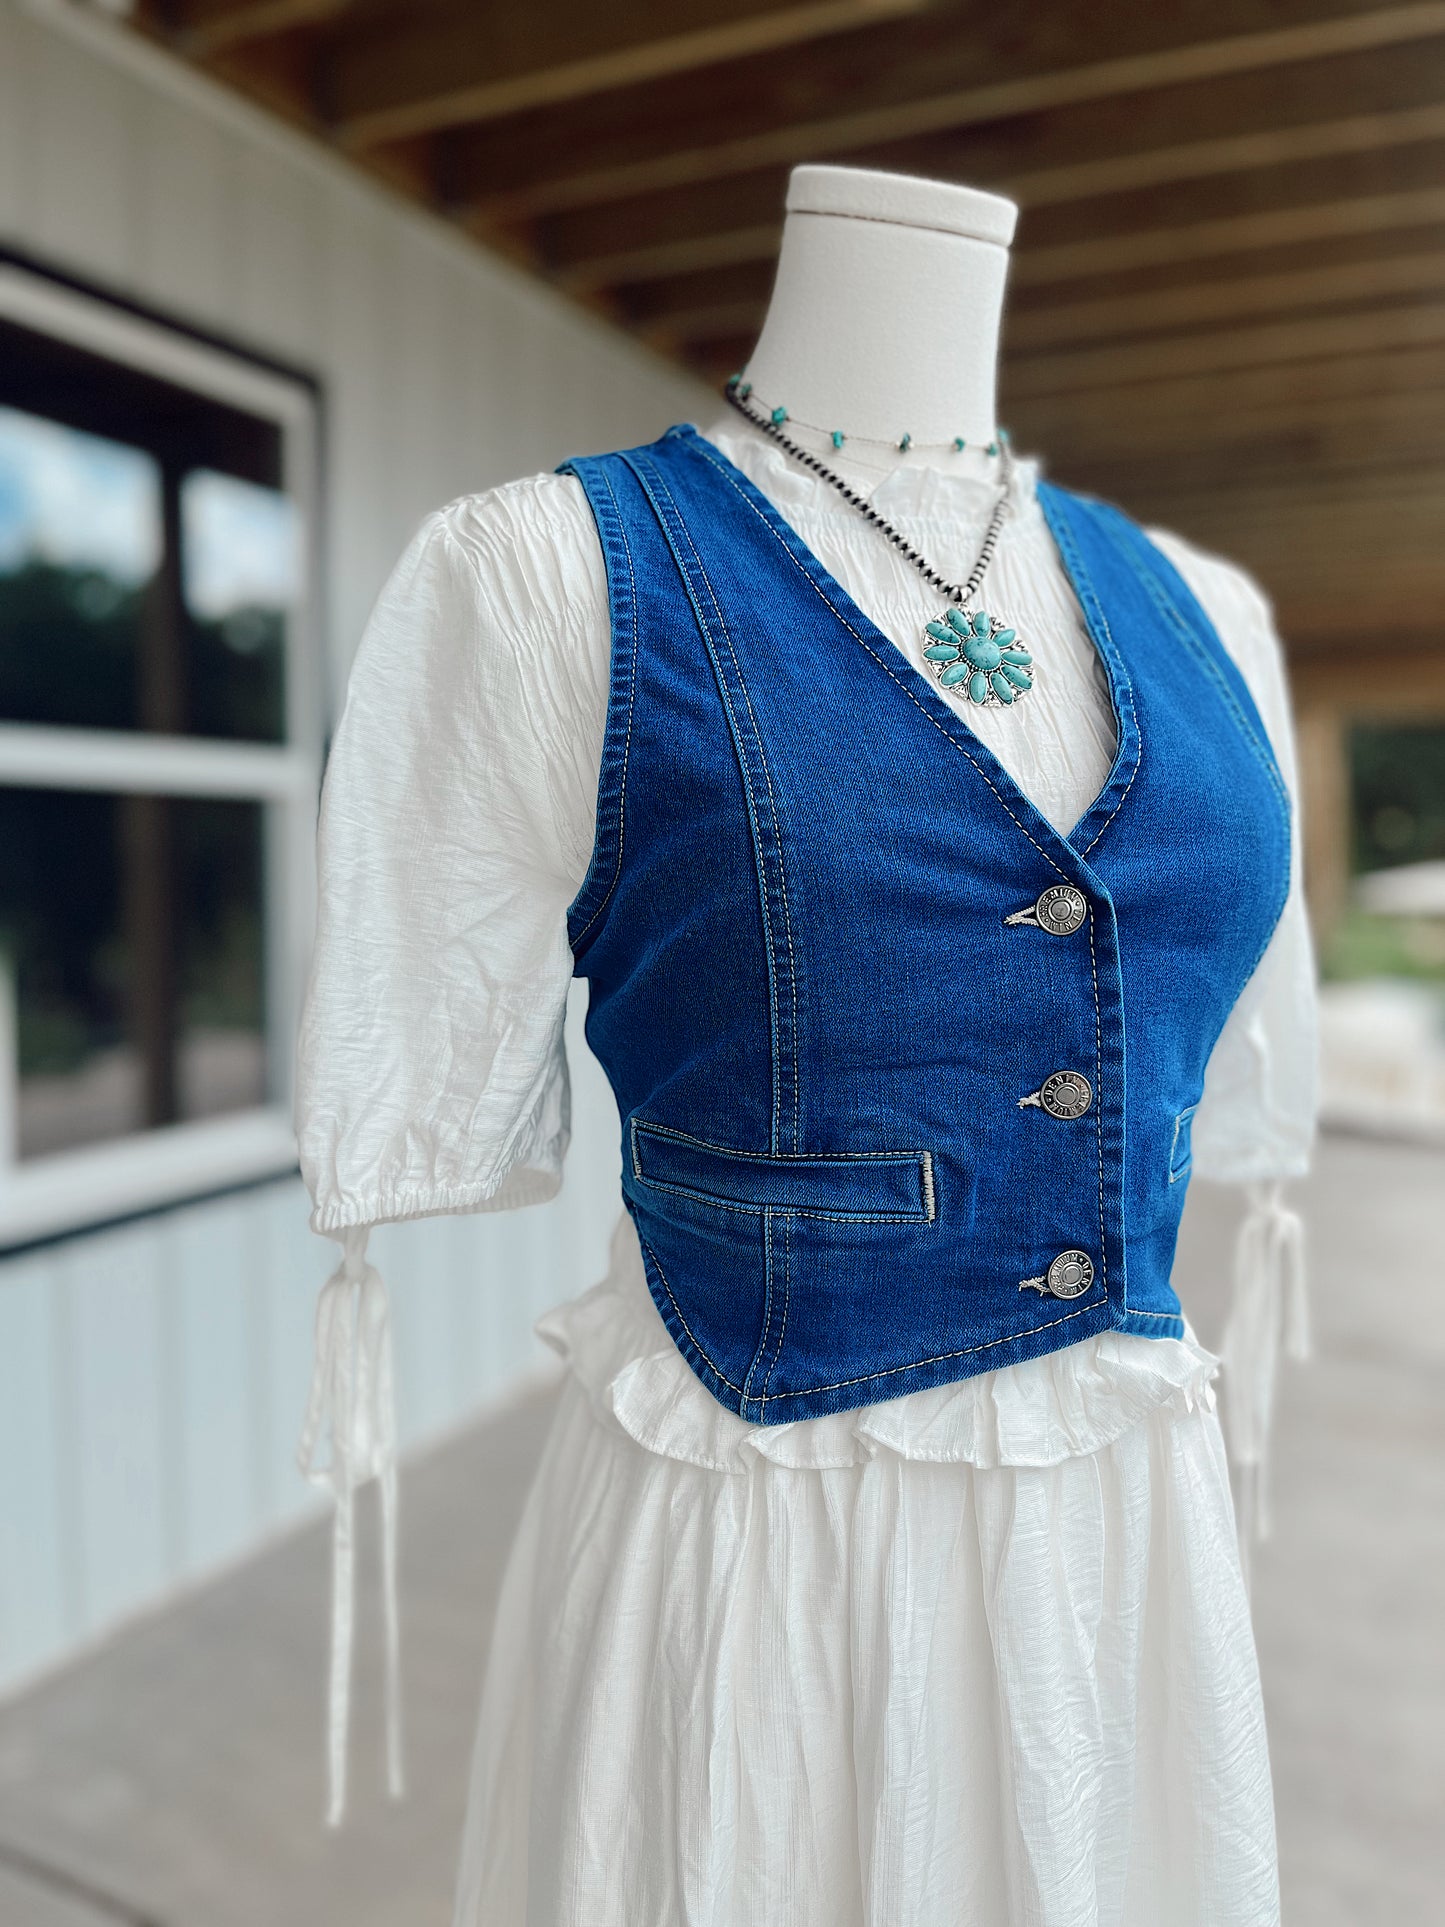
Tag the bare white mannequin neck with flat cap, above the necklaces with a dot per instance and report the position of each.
(885, 317)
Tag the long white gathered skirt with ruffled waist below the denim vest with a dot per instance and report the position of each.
(974, 1658)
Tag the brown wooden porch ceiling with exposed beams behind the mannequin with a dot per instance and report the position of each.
(1228, 302)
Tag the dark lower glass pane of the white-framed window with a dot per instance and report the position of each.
(136, 988)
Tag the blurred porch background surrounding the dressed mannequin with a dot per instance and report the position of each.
(278, 278)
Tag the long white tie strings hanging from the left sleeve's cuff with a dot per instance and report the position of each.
(354, 1404)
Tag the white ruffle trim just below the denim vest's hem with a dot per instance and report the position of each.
(1038, 1413)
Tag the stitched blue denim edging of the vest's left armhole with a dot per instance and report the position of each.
(587, 911)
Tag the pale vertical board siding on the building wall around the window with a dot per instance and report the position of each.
(153, 1377)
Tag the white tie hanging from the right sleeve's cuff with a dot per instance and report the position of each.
(1269, 1313)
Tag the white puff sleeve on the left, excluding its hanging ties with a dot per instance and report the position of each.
(431, 1069)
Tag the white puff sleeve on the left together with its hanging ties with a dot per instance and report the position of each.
(456, 828)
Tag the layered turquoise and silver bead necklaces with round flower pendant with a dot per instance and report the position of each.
(964, 647)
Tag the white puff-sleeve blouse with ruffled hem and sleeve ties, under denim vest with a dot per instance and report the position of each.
(458, 824)
